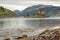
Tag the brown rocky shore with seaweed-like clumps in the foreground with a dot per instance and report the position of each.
(46, 35)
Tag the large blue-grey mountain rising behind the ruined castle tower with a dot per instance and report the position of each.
(51, 10)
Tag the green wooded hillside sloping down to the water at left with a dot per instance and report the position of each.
(6, 13)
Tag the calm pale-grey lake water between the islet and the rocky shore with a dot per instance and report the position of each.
(29, 27)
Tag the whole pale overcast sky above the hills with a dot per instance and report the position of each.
(22, 4)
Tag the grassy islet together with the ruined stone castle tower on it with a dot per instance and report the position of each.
(42, 14)
